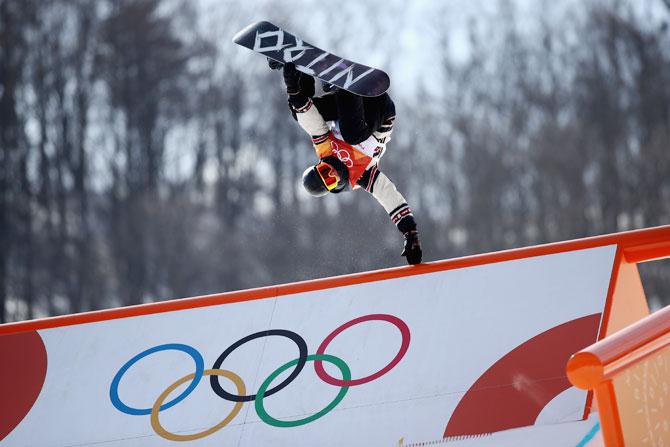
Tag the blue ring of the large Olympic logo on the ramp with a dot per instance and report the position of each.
(114, 387)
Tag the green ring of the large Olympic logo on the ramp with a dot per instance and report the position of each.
(265, 417)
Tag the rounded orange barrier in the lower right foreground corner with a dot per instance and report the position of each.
(630, 373)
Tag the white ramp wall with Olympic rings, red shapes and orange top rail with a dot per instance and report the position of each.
(469, 351)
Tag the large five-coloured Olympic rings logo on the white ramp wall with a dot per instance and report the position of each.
(264, 390)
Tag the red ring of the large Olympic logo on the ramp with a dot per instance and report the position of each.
(397, 322)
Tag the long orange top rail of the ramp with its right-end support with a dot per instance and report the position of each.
(632, 247)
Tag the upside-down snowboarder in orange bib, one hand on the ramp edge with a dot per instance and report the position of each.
(349, 134)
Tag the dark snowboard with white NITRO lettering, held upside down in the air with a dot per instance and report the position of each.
(280, 45)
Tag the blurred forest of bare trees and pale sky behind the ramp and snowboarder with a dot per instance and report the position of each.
(144, 156)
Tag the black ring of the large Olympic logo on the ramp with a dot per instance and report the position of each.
(302, 359)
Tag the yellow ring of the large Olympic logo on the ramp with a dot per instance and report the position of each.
(158, 428)
